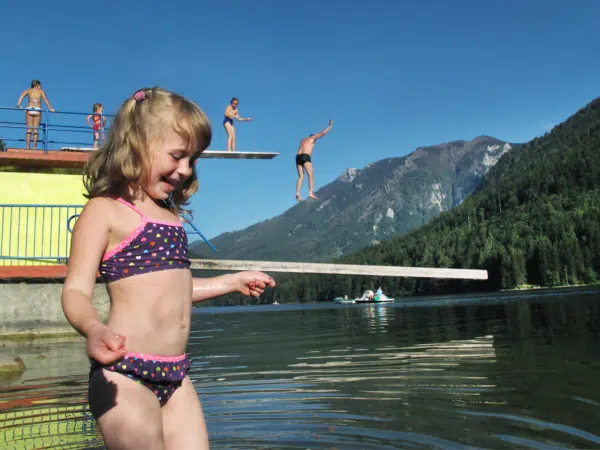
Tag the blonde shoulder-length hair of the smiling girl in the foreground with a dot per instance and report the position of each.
(122, 164)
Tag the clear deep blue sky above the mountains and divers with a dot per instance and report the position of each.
(393, 75)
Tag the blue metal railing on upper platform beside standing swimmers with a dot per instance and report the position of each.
(62, 128)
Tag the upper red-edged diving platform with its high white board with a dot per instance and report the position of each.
(74, 157)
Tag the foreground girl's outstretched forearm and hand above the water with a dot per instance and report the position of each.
(247, 283)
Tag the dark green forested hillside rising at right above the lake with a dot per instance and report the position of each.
(534, 219)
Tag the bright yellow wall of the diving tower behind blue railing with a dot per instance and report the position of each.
(28, 231)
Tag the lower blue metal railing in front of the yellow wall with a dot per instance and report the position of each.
(41, 234)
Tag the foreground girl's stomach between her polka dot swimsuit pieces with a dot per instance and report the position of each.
(152, 311)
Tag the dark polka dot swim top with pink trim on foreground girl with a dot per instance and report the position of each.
(151, 247)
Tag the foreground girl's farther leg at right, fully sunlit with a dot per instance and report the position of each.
(183, 421)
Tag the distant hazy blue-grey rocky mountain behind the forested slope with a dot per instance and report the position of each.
(365, 206)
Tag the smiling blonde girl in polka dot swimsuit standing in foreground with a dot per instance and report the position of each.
(130, 232)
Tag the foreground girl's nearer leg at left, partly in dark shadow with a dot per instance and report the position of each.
(127, 413)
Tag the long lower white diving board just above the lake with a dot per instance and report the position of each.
(340, 269)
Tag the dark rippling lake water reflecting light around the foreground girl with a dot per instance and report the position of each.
(503, 371)
